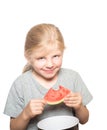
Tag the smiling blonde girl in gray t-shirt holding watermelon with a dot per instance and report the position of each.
(44, 48)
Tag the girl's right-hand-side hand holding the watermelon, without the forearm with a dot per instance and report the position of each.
(73, 100)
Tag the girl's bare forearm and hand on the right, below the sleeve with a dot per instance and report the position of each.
(74, 100)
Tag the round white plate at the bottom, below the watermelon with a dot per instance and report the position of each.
(58, 123)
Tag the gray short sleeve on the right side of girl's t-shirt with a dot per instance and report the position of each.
(82, 88)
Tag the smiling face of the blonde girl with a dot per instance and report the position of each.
(46, 63)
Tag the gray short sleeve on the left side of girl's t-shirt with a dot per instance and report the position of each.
(15, 103)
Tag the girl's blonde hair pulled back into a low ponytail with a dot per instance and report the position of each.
(37, 35)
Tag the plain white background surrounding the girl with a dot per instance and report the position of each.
(83, 24)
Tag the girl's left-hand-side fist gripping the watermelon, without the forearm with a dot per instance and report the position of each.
(34, 107)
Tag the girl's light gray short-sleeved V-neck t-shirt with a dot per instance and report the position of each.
(25, 88)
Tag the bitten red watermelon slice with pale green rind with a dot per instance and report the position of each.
(54, 97)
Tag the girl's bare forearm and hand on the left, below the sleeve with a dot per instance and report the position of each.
(34, 107)
